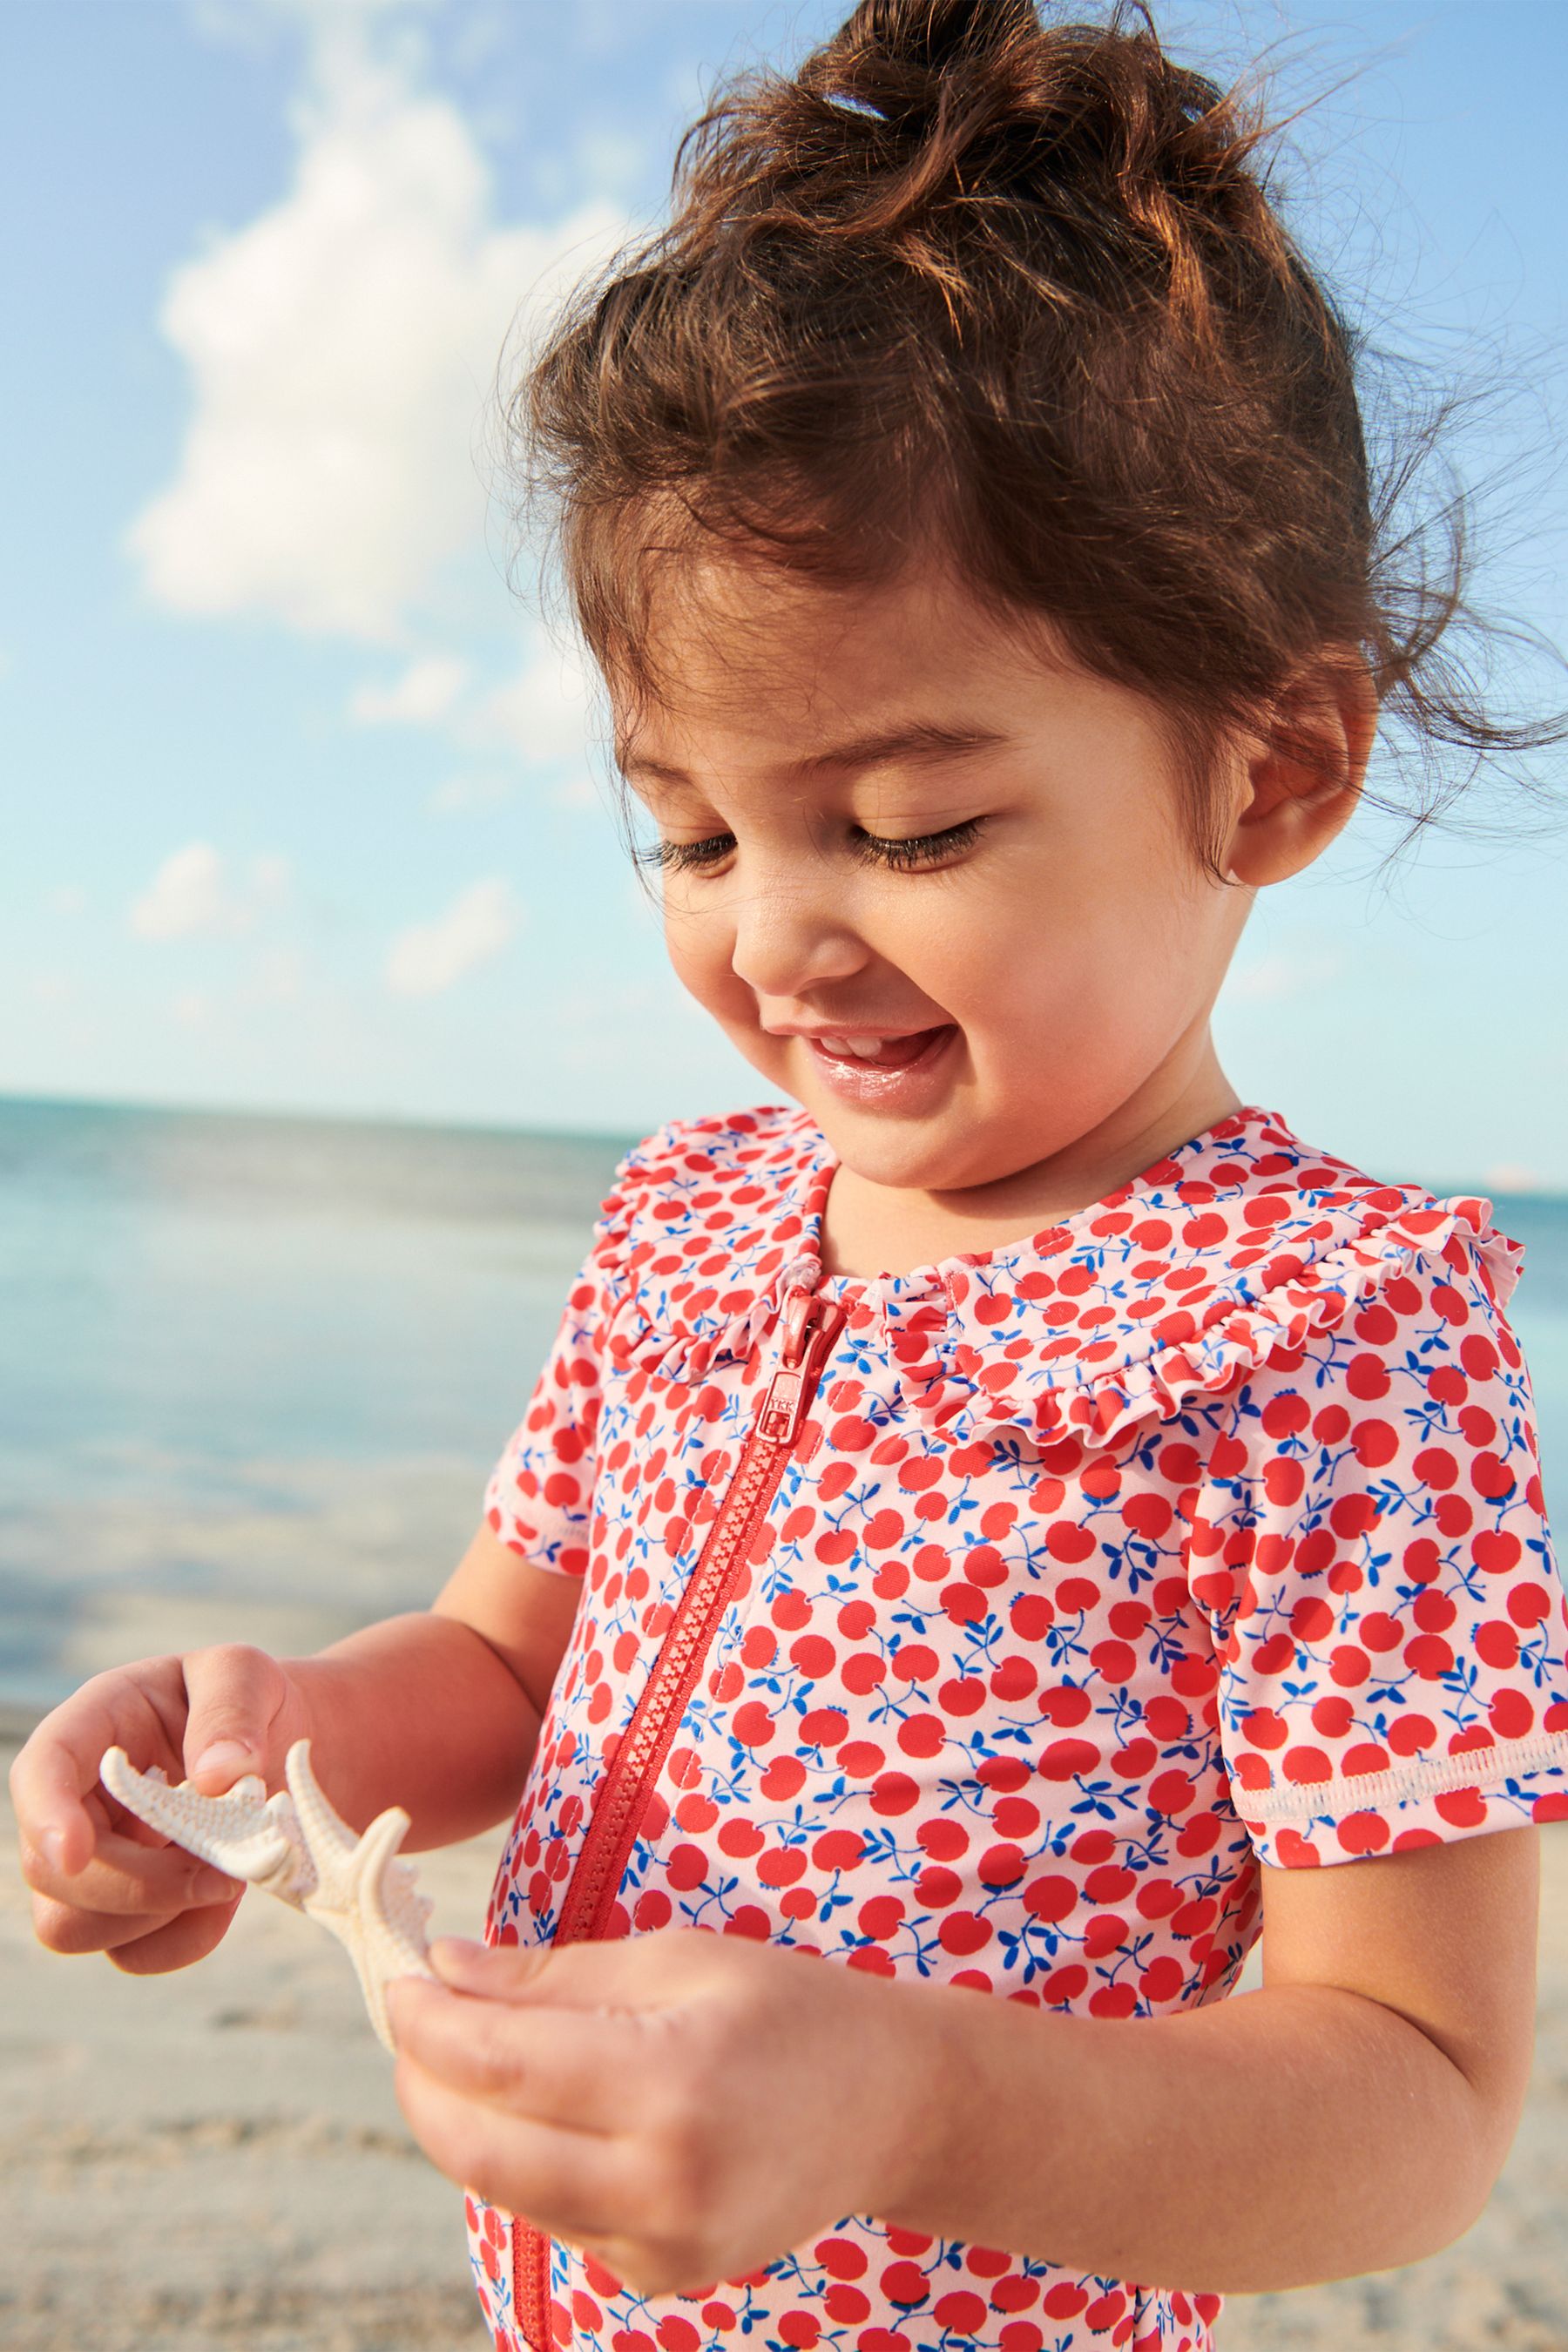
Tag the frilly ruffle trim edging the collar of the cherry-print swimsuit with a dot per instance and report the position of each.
(960, 1384)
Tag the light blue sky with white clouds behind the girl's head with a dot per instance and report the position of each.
(300, 806)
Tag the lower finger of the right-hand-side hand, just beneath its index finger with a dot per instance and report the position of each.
(570, 2184)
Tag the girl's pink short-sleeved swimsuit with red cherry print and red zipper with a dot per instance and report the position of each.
(1080, 1579)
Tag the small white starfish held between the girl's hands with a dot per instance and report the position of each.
(297, 1847)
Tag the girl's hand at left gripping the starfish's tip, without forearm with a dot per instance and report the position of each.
(102, 1880)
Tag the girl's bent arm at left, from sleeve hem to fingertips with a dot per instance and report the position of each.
(436, 1711)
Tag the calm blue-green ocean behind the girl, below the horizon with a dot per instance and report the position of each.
(255, 1370)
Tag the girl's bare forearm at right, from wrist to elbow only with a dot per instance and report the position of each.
(1278, 2139)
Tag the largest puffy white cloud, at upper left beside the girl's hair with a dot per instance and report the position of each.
(342, 349)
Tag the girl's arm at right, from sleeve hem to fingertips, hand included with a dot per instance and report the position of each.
(1348, 2118)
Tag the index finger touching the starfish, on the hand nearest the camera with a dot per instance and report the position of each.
(554, 2066)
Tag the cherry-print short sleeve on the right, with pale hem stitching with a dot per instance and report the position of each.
(1374, 1551)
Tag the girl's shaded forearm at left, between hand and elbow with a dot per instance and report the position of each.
(420, 1711)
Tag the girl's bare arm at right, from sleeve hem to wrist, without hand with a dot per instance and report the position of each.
(1353, 2116)
